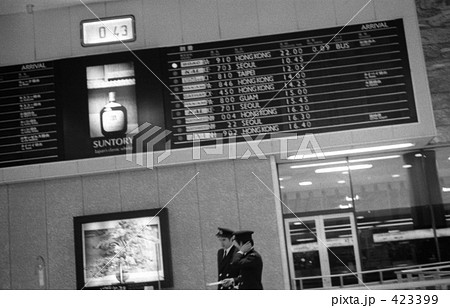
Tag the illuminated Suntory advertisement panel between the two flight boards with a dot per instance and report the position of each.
(106, 98)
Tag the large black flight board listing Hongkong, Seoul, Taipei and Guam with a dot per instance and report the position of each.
(292, 82)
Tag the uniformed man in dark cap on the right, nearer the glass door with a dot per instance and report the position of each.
(249, 263)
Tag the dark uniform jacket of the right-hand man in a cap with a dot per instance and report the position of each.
(250, 270)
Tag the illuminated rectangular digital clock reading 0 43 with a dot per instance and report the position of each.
(110, 30)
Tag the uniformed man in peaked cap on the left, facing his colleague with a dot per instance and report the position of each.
(225, 257)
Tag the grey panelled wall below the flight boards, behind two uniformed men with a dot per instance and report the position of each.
(36, 219)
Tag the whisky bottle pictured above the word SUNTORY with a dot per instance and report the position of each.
(113, 117)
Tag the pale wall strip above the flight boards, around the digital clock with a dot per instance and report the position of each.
(52, 34)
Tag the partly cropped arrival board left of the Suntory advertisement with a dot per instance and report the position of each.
(28, 117)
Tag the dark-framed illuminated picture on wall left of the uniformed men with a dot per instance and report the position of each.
(127, 250)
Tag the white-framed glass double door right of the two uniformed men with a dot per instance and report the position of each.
(322, 245)
